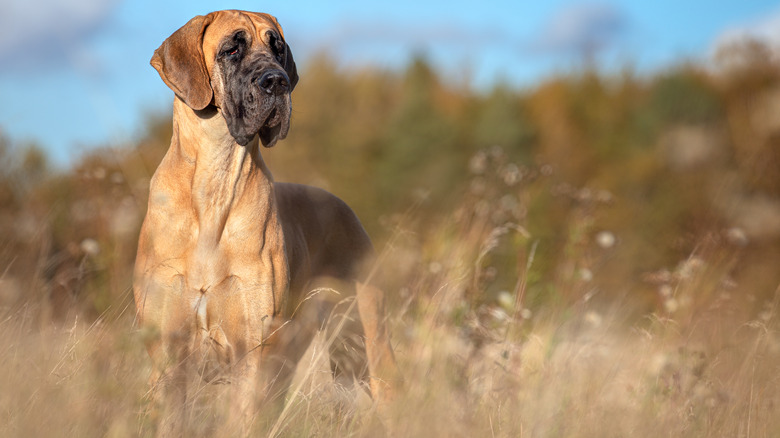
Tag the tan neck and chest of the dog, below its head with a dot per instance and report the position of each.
(213, 216)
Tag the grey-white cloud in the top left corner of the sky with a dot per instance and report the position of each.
(45, 32)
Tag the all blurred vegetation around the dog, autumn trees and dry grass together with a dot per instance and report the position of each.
(594, 255)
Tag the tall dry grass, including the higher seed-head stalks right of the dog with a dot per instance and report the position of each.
(480, 357)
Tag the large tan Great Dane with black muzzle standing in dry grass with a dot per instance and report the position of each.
(225, 254)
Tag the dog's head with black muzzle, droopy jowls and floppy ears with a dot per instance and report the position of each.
(237, 61)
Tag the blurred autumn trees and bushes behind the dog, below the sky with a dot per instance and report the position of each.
(598, 179)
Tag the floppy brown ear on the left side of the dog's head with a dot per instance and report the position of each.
(179, 61)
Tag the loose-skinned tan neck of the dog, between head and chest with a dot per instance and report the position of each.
(224, 174)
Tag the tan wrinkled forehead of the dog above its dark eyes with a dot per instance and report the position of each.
(225, 24)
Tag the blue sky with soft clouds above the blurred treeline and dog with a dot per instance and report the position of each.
(75, 73)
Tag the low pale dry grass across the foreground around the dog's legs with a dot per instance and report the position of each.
(578, 371)
